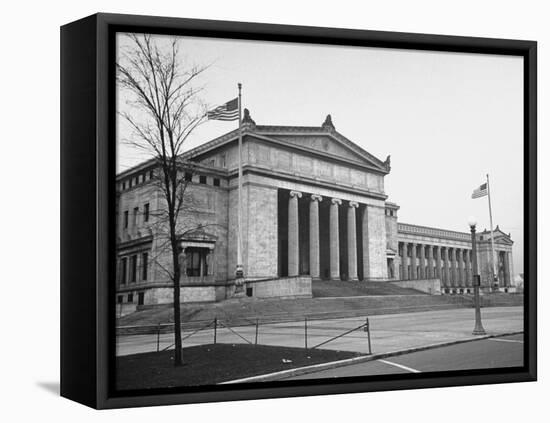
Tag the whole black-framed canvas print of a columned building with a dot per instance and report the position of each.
(257, 211)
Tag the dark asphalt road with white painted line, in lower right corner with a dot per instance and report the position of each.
(483, 354)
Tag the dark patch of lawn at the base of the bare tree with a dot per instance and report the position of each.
(212, 364)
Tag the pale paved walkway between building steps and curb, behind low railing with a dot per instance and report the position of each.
(389, 332)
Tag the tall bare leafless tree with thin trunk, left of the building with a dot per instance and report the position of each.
(164, 109)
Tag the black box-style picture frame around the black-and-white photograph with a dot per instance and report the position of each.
(87, 203)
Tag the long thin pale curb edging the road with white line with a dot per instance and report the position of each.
(284, 374)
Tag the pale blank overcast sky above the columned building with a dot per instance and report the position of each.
(446, 119)
